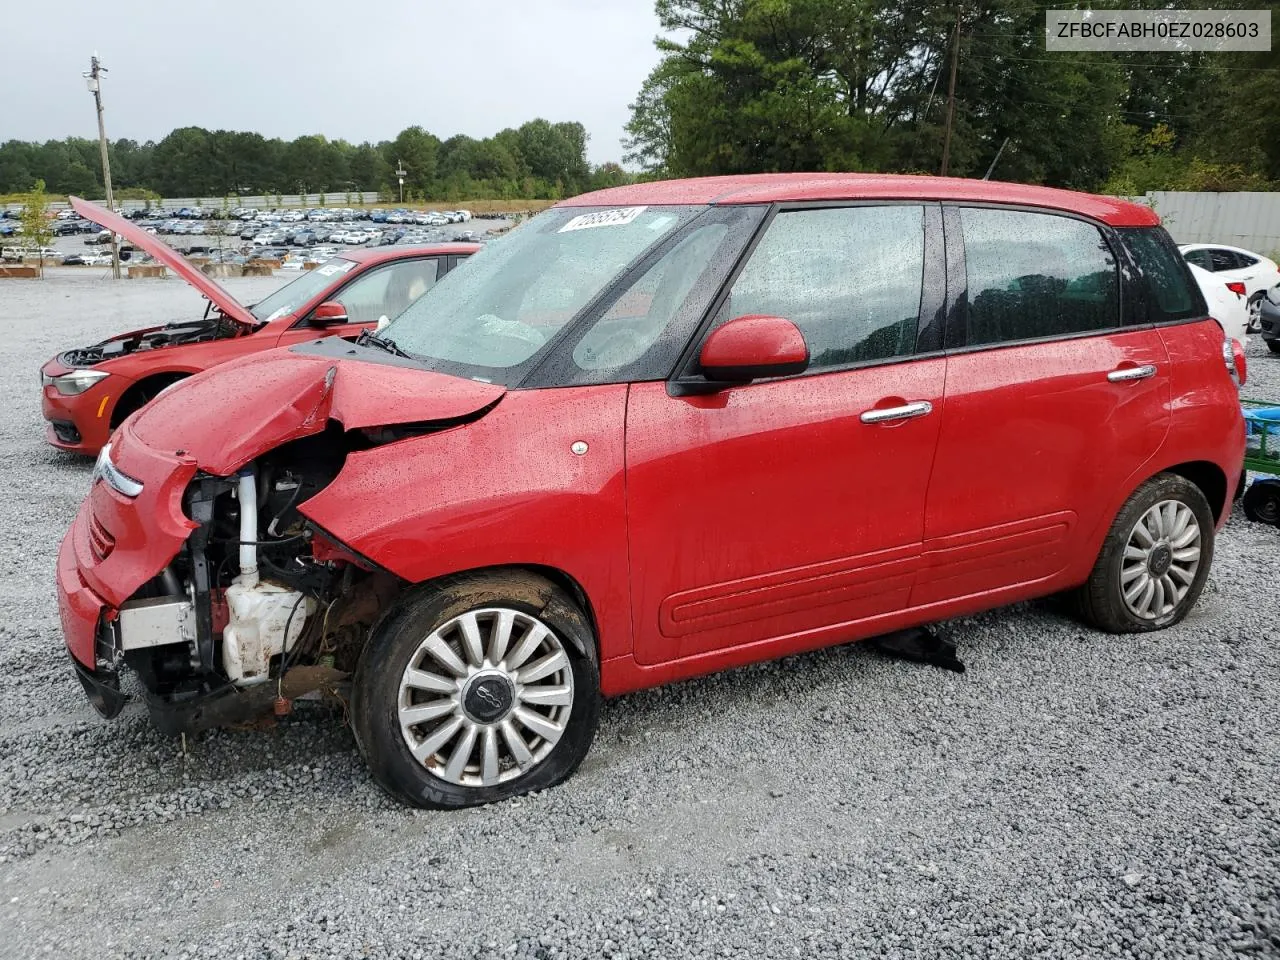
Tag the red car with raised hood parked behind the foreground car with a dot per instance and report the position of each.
(89, 392)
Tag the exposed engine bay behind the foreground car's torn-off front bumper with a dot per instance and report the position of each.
(257, 592)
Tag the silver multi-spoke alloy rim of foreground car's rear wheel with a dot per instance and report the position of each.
(1160, 560)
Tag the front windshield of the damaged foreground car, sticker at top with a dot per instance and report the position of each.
(492, 318)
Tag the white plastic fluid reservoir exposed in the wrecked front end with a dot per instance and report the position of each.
(260, 627)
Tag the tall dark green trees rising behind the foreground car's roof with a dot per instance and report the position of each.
(862, 85)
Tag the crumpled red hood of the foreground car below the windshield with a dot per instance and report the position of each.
(237, 412)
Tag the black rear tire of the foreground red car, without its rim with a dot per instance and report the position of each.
(1101, 604)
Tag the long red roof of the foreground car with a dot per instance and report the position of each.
(799, 188)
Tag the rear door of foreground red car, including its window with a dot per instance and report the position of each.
(1053, 405)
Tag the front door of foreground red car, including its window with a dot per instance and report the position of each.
(762, 514)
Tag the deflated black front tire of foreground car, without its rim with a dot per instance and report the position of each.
(395, 642)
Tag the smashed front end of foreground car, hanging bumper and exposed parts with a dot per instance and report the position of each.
(145, 582)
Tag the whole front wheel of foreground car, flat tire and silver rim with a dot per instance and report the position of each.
(477, 689)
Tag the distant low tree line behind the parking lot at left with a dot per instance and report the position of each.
(537, 161)
